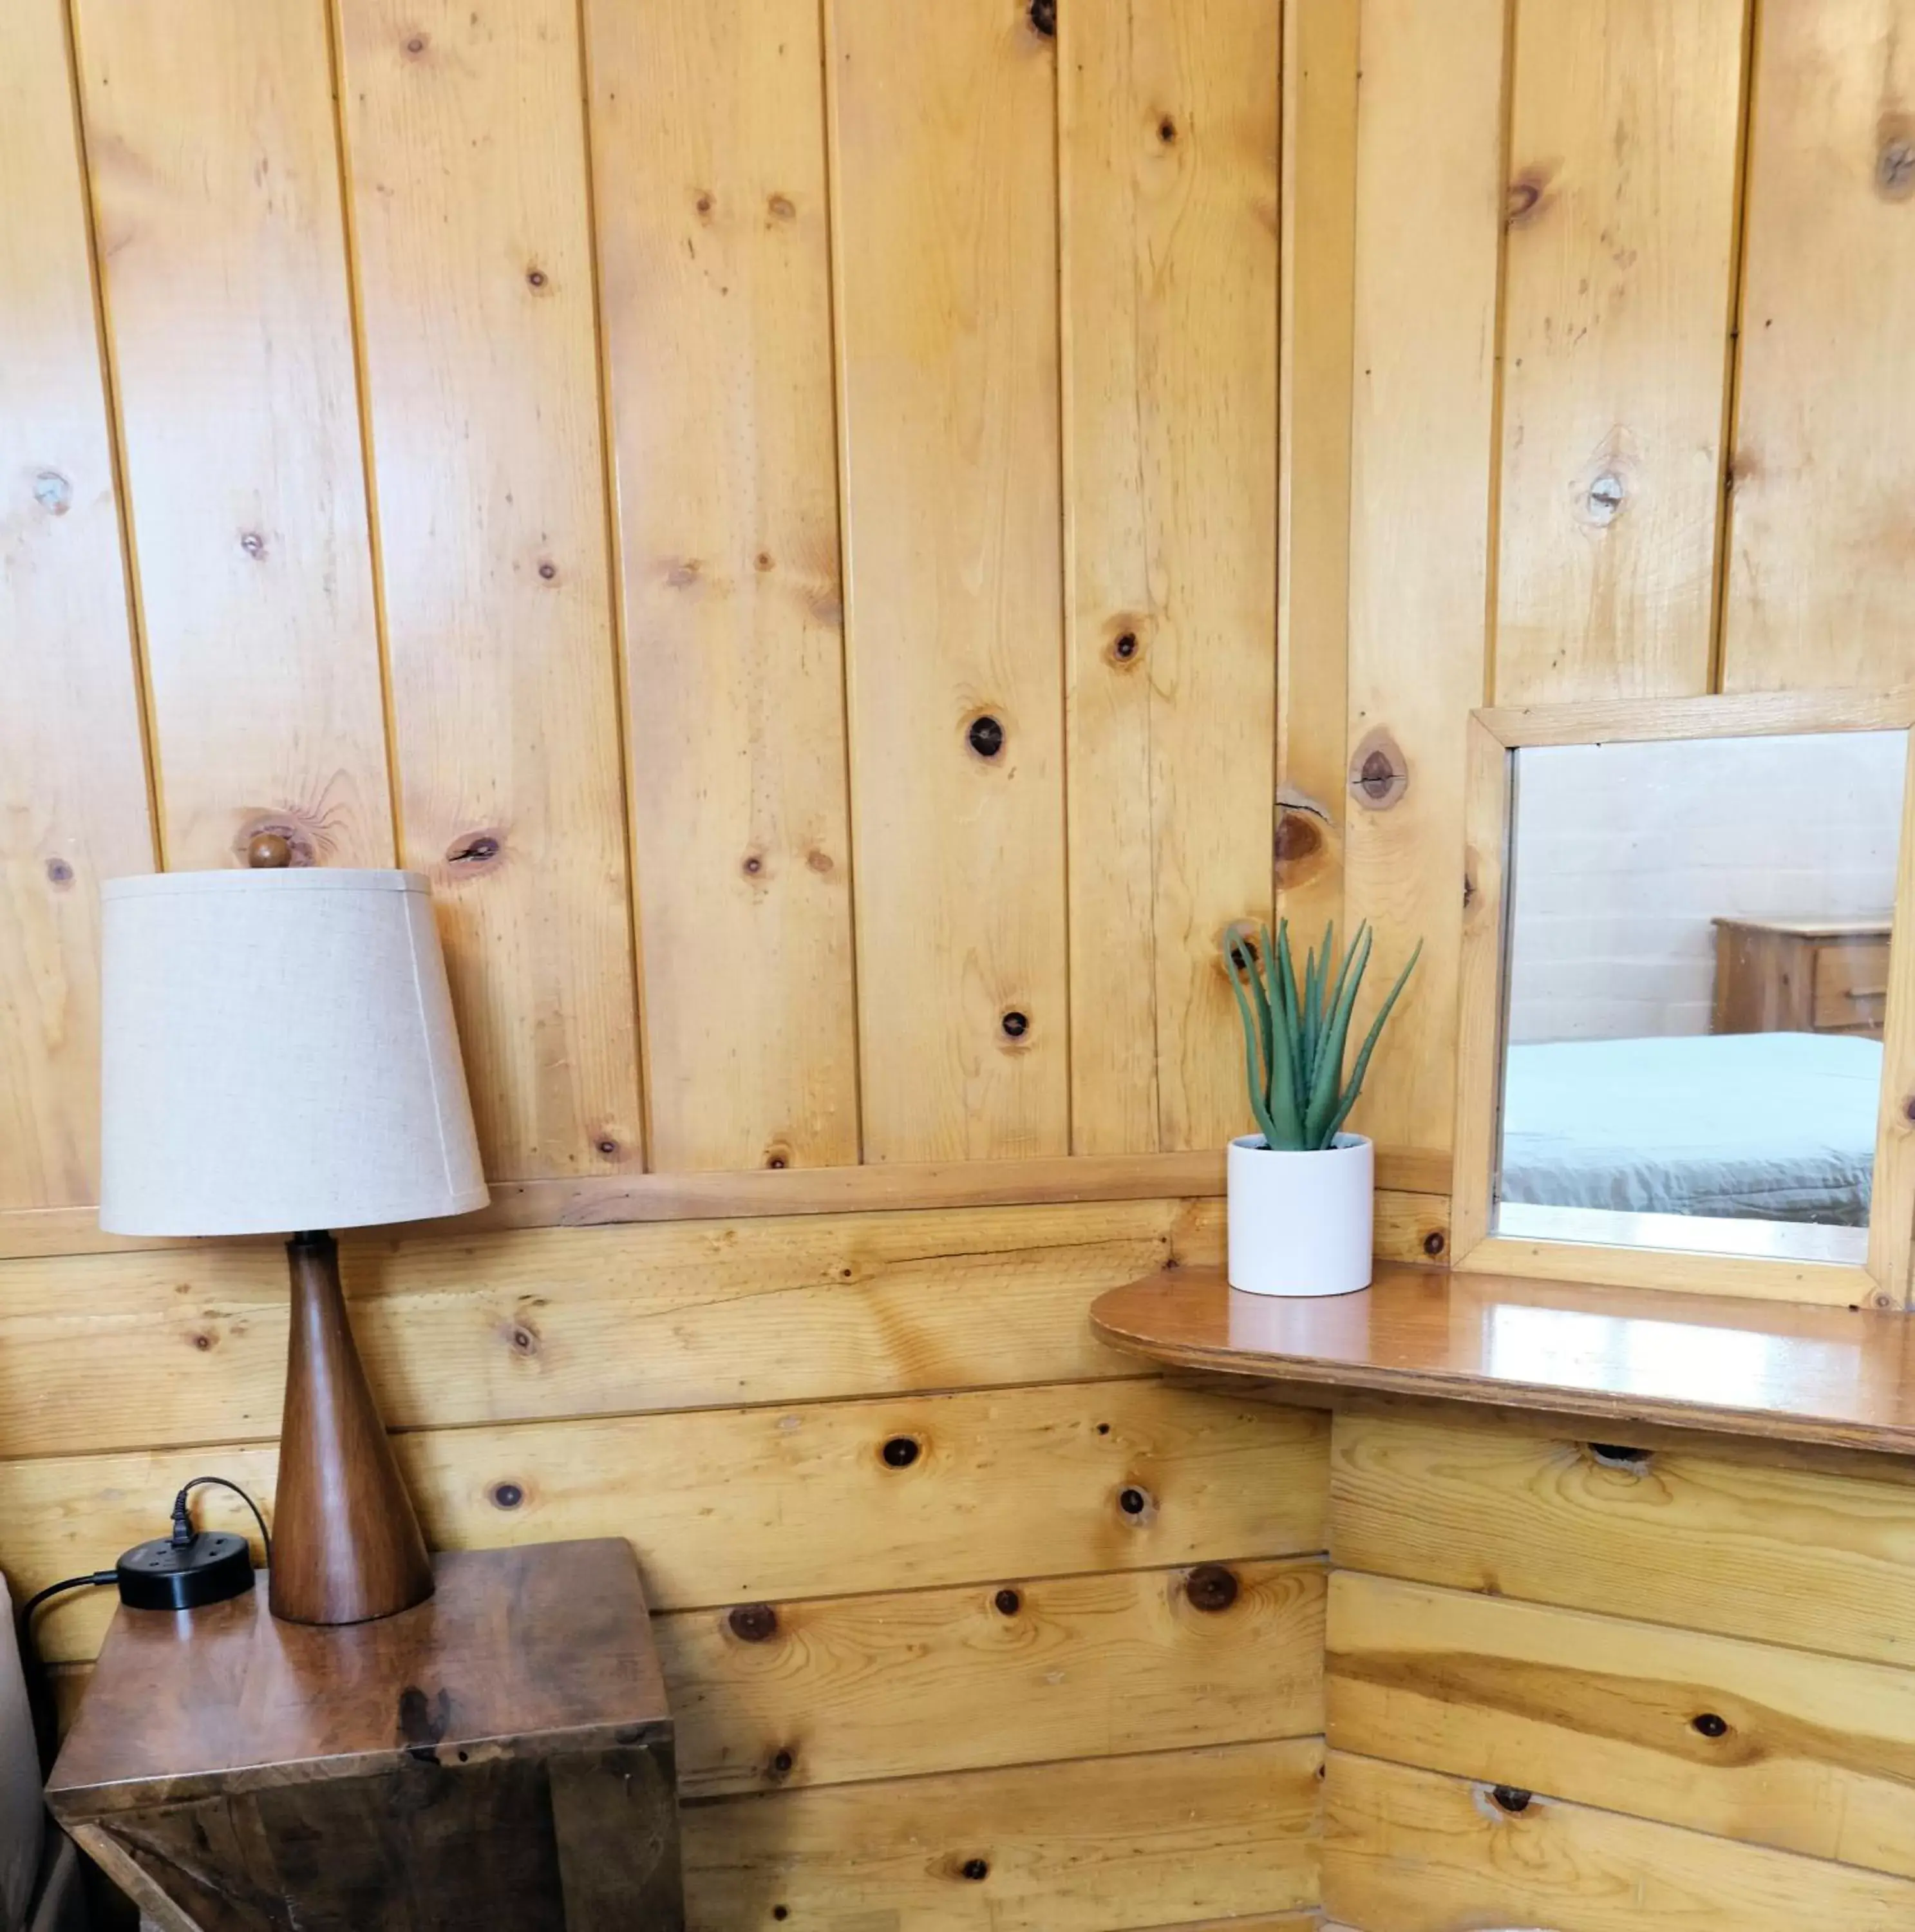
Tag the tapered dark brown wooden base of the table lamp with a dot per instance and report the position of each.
(347, 1545)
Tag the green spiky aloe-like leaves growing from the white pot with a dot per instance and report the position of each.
(1294, 1037)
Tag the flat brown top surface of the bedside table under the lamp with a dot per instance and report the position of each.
(519, 1653)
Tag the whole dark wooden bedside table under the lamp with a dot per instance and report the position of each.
(496, 1761)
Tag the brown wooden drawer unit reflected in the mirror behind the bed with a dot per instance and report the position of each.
(1802, 977)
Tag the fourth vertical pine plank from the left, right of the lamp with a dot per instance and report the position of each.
(710, 159)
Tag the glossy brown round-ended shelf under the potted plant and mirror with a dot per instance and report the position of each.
(1688, 1361)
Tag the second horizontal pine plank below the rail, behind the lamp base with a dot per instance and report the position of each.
(762, 1504)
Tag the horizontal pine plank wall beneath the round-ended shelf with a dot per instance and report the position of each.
(1607, 1686)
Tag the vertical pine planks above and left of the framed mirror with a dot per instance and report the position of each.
(1630, 412)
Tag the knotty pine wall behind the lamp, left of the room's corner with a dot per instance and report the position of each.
(612, 459)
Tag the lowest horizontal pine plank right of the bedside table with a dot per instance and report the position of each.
(1102, 1848)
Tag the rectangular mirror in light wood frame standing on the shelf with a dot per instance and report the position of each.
(1688, 1023)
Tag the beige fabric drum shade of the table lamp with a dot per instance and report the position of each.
(277, 1054)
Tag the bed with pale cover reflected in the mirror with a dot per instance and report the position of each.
(1773, 1127)
